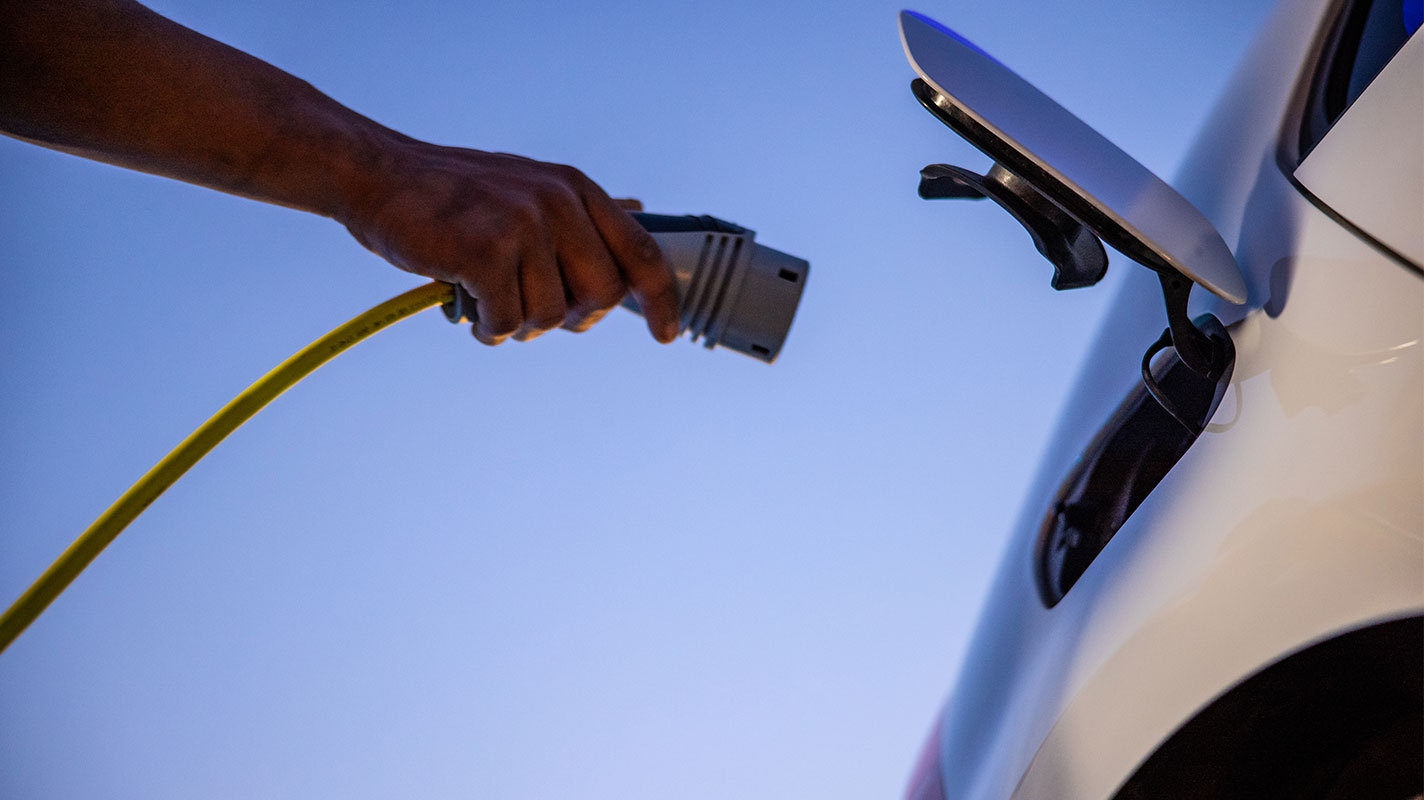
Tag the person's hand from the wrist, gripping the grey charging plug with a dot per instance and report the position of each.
(539, 246)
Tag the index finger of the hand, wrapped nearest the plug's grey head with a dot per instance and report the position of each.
(637, 256)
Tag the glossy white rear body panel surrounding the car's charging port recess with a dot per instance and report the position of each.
(1294, 519)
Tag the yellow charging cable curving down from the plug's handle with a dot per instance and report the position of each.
(200, 443)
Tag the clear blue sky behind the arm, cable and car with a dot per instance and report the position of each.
(586, 567)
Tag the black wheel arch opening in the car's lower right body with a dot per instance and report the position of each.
(1341, 720)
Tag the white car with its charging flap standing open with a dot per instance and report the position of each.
(1217, 586)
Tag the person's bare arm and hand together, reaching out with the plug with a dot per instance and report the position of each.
(539, 246)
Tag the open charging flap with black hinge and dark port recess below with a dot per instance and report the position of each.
(1074, 191)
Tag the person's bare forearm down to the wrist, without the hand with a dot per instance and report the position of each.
(115, 82)
